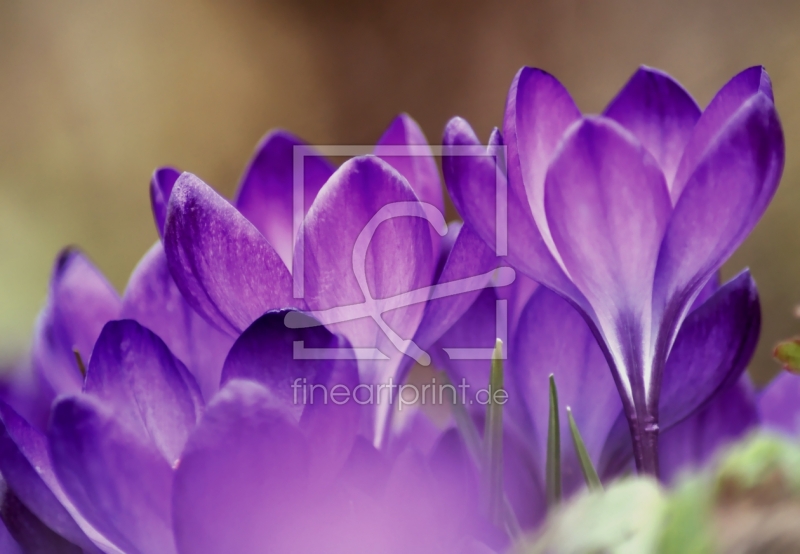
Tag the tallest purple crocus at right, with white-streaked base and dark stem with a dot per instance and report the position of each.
(627, 214)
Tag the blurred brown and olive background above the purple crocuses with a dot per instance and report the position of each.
(95, 94)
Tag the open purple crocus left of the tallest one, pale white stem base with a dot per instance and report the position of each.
(234, 262)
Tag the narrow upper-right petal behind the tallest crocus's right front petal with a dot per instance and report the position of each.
(718, 114)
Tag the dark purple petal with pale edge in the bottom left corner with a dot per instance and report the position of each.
(26, 468)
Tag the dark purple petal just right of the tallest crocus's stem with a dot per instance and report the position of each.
(712, 350)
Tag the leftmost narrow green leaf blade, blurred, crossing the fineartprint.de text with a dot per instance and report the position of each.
(493, 438)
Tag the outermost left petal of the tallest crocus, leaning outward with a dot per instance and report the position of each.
(473, 178)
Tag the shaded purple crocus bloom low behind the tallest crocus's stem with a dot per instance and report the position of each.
(706, 400)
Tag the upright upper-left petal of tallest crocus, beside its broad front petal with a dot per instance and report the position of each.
(539, 110)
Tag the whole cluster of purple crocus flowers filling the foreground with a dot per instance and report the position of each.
(180, 417)
